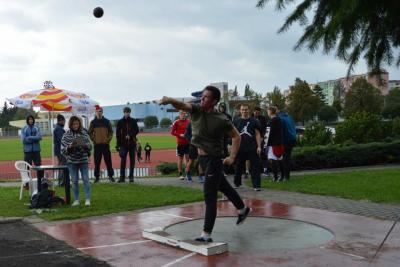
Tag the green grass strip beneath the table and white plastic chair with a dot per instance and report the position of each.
(106, 199)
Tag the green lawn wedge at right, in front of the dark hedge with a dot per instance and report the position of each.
(381, 186)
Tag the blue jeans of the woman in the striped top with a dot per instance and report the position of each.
(74, 169)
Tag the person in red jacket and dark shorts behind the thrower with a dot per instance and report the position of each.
(182, 149)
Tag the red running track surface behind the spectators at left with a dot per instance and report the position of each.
(7, 169)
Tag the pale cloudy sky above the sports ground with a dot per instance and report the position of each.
(141, 50)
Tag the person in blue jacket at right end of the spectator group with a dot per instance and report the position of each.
(289, 141)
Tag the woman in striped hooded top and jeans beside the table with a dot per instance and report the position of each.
(75, 145)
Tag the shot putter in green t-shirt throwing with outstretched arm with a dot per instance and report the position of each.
(208, 128)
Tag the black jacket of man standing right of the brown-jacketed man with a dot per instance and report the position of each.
(126, 127)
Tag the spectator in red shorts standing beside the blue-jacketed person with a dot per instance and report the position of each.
(274, 142)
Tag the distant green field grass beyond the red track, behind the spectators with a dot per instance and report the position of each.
(11, 149)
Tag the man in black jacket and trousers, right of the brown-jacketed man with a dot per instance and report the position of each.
(127, 129)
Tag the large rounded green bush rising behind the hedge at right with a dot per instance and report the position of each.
(361, 127)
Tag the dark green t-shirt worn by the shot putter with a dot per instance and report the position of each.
(208, 130)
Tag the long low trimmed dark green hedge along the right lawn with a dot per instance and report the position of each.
(336, 156)
